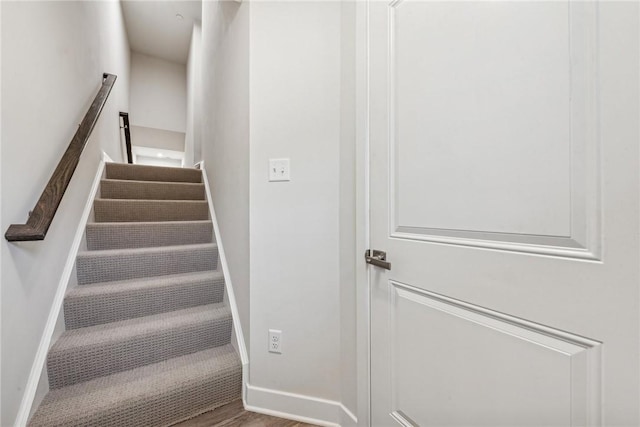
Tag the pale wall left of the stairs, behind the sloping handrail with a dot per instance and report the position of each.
(53, 57)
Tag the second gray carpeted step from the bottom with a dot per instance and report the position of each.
(87, 353)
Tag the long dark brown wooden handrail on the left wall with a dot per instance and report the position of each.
(42, 215)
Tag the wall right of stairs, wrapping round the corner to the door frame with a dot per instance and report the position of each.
(278, 81)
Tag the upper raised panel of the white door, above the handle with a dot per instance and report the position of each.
(492, 136)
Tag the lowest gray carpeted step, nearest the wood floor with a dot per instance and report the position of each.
(104, 400)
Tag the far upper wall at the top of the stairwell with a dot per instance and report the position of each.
(158, 93)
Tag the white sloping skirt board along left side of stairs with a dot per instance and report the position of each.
(54, 313)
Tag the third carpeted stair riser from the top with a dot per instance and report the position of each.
(115, 210)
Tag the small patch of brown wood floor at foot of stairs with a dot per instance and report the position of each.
(234, 415)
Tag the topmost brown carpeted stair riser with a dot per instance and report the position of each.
(150, 173)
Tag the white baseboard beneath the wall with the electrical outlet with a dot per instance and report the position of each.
(298, 407)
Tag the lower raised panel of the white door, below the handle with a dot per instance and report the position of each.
(454, 364)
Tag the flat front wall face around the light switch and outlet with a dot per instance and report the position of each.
(295, 113)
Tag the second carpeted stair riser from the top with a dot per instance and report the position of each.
(150, 190)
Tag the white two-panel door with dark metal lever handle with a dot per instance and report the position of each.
(504, 188)
